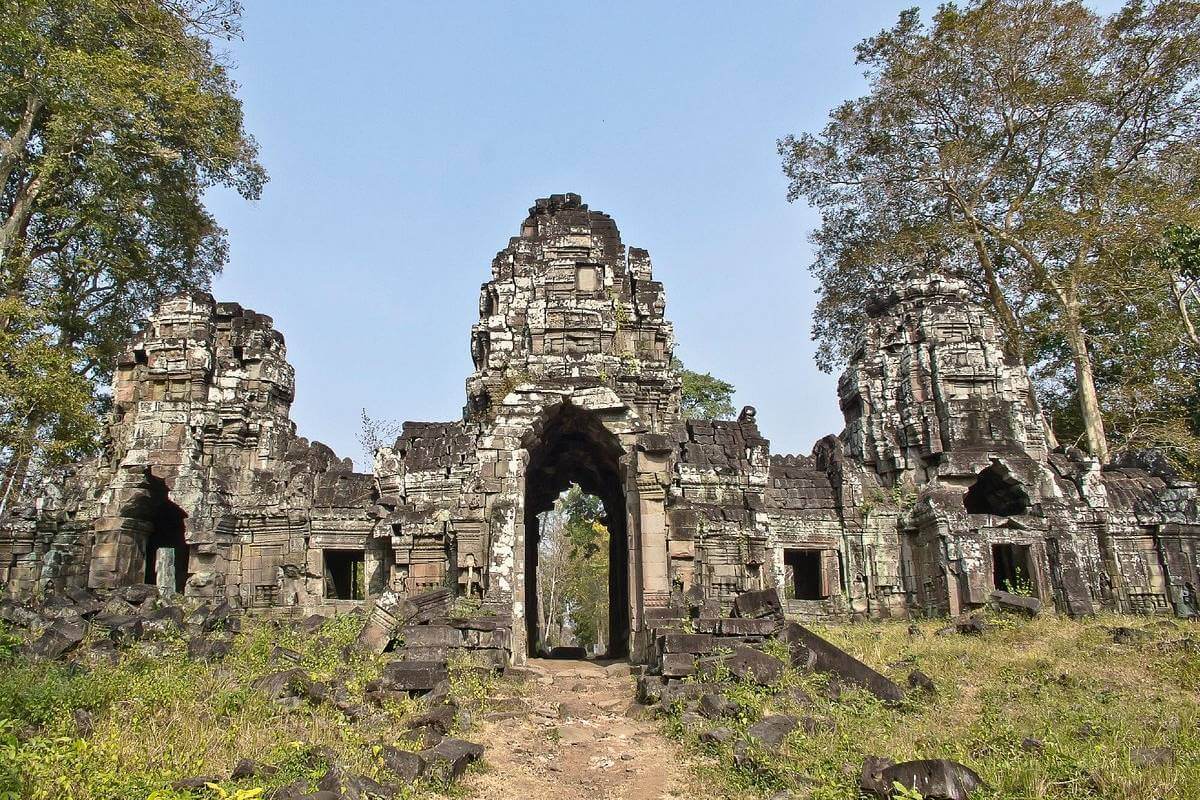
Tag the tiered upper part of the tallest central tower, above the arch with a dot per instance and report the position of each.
(567, 306)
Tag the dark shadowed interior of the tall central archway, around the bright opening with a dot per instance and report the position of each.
(574, 447)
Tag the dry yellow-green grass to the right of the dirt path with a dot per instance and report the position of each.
(1090, 702)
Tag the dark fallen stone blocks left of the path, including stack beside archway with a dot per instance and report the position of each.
(418, 639)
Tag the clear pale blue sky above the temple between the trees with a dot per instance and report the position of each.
(407, 141)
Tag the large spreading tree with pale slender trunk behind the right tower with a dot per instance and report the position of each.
(1031, 148)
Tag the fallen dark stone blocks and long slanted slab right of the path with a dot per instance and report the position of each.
(693, 651)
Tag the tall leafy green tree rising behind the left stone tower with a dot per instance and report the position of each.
(116, 117)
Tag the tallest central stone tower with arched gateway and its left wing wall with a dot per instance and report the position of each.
(573, 384)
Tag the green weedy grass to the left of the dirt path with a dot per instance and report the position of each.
(158, 719)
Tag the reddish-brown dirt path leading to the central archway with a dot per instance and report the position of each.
(571, 738)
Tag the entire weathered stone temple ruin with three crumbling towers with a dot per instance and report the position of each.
(939, 492)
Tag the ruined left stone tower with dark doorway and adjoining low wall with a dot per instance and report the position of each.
(203, 462)
